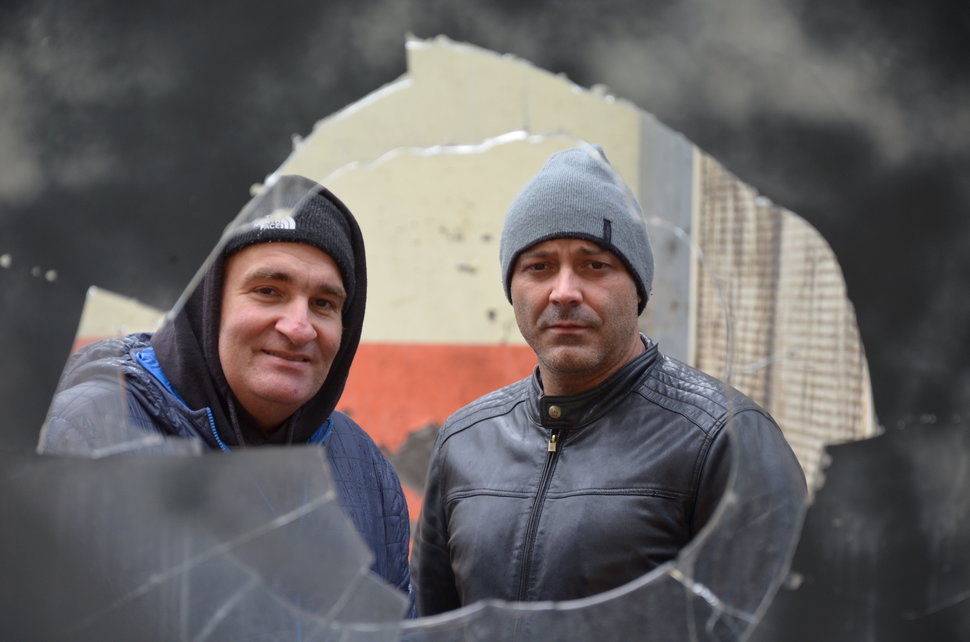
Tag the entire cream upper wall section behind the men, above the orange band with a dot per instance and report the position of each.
(429, 165)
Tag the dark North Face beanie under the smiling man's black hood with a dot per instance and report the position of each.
(296, 209)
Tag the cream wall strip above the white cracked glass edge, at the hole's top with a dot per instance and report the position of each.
(474, 95)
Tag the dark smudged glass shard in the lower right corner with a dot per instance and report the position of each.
(883, 554)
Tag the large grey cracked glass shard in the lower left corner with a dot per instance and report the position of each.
(171, 547)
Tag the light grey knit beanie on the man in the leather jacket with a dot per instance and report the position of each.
(577, 194)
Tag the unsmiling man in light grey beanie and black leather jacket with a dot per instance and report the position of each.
(611, 457)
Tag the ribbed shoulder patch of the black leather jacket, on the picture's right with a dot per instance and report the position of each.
(691, 392)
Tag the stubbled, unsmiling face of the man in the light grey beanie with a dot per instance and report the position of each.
(576, 305)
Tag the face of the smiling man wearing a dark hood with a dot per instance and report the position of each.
(280, 326)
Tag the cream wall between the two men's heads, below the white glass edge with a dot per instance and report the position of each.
(431, 222)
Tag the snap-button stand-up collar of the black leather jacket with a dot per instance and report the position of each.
(573, 411)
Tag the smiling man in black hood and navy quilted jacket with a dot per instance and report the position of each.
(258, 354)
